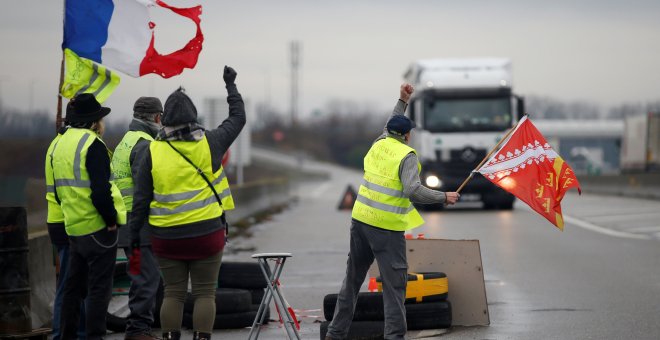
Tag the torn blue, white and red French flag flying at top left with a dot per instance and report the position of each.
(119, 34)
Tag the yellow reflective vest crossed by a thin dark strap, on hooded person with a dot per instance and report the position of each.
(181, 196)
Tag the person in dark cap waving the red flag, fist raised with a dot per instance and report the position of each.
(382, 212)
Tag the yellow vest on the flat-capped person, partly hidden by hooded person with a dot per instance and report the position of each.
(121, 165)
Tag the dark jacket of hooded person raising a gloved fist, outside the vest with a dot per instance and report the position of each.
(219, 140)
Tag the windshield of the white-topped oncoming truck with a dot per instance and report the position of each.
(467, 114)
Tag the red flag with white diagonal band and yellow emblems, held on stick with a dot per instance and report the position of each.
(530, 169)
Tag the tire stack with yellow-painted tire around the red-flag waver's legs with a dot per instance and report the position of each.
(425, 308)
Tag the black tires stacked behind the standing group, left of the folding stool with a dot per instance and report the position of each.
(241, 286)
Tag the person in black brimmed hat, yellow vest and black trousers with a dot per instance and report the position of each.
(92, 208)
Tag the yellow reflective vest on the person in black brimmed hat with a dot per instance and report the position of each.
(73, 186)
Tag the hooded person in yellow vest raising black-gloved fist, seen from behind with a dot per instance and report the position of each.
(183, 193)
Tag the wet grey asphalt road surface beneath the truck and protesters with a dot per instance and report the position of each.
(598, 279)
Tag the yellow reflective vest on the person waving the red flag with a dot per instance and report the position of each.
(380, 201)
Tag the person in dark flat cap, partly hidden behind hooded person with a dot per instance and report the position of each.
(147, 112)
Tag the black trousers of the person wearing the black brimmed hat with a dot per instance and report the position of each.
(91, 267)
